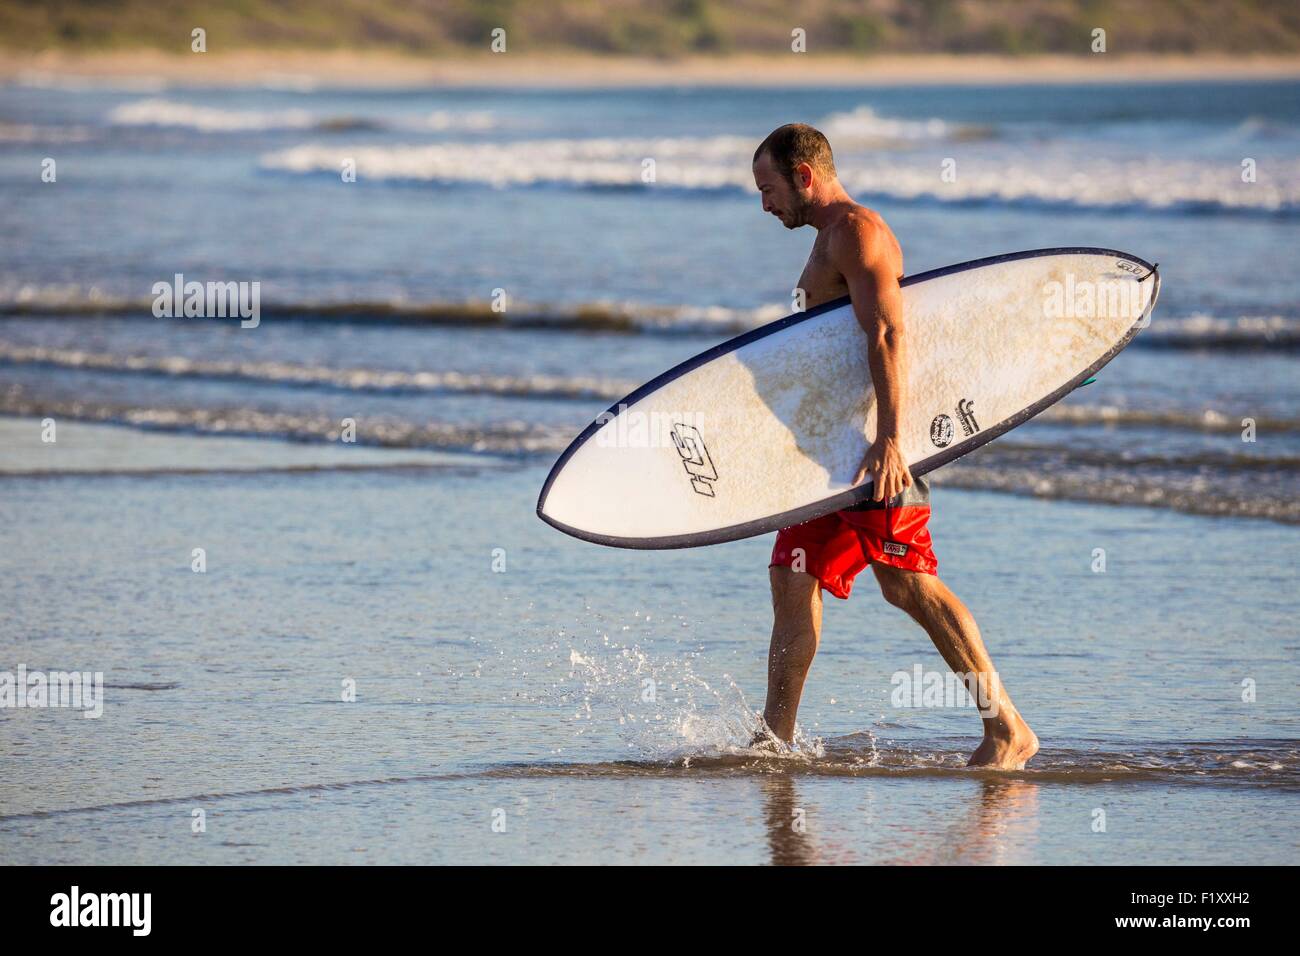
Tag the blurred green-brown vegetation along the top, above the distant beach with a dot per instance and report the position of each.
(668, 29)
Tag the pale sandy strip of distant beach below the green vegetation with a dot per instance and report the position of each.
(307, 70)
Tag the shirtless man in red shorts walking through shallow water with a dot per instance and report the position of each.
(856, 254)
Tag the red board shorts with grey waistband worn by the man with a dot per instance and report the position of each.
(838, 547)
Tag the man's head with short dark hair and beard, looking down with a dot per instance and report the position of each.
(791, 167)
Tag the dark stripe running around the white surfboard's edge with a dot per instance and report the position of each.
(863, 492)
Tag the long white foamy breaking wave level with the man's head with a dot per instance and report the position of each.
(722, 165)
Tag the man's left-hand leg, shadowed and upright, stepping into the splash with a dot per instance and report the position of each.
(796, 630)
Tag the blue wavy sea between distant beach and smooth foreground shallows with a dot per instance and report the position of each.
(376, 295)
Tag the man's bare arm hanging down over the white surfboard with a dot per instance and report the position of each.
(873, 278)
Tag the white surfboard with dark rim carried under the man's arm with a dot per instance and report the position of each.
(768, 430)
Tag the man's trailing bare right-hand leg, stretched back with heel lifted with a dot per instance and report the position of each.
(1008, 739)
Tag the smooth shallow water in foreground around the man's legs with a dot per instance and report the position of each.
(525, 691)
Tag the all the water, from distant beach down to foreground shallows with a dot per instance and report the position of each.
(504, 671)
